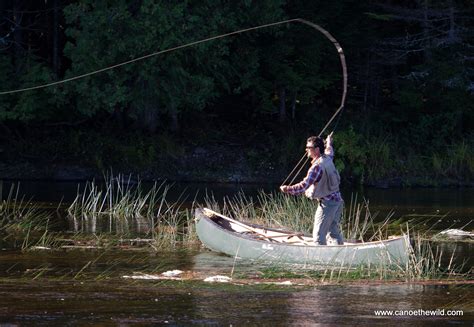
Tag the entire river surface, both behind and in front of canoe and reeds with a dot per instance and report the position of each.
(89, 287)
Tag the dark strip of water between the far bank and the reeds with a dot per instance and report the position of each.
(457, 203)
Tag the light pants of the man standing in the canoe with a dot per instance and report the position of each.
(326, 220)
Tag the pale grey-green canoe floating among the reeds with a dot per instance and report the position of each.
(248, 241)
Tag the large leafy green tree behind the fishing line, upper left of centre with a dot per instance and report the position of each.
(108, 32)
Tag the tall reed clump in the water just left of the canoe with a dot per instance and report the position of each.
(121, 207)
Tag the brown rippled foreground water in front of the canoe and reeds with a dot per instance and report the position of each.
(67, 294)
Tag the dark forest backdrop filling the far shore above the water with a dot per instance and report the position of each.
(239, 108)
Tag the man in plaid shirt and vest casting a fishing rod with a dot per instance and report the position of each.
(321, 184)
